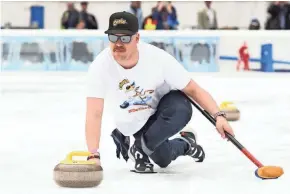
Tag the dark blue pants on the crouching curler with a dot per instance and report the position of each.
(173, 113)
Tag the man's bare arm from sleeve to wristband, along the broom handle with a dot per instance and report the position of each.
(202, 97)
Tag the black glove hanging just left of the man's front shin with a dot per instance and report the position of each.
(122, 142)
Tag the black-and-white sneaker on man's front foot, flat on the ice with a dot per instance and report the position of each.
(142, 162)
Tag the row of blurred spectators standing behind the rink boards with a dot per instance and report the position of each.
(164, 16)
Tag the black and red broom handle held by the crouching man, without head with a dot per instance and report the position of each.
(228, 135)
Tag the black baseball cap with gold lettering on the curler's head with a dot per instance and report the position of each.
(123, 23)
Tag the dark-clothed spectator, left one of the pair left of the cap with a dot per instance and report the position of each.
(70, 18)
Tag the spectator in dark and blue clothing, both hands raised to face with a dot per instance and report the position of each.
(165, 15)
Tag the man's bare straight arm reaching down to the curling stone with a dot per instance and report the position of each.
(93, 122)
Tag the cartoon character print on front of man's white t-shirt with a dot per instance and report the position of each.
(137, 98)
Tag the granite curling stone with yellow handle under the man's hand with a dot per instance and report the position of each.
(77, 173)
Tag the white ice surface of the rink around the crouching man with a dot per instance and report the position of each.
(42, 118)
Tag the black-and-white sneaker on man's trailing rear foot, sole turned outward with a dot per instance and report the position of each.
(195, 151)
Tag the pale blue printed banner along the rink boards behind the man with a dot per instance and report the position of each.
(75, 53)
